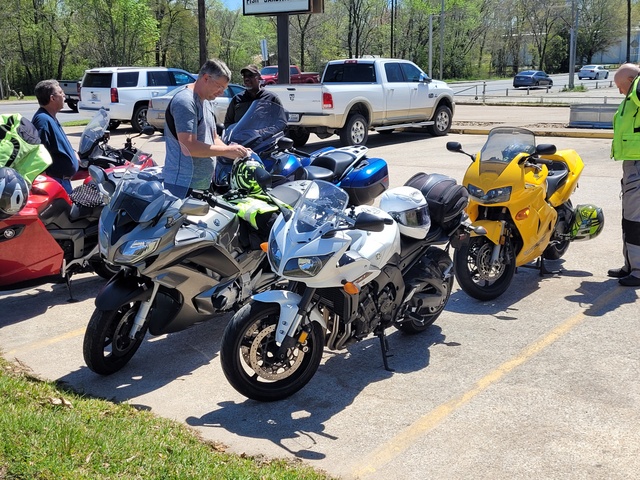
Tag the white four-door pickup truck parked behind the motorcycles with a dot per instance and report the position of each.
(359, 95)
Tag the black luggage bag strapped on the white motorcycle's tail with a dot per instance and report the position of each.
(446, 198)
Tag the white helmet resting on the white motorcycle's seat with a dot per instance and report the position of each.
(409, 208)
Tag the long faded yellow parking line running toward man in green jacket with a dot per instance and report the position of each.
(406, 438)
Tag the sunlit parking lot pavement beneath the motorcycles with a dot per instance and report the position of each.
(541, 382)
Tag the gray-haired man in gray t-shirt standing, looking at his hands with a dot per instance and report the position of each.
(190, 132)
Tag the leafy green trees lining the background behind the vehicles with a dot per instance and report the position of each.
(62, 38)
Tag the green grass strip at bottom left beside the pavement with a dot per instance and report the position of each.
(48, 433)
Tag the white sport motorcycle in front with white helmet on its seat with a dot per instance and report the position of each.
(352, 271)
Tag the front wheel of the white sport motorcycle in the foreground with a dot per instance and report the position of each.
(248, 355)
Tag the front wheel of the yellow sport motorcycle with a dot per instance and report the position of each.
(474, 272)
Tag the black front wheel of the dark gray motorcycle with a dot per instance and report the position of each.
(107, 346)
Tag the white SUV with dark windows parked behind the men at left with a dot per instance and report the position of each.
(125, 91)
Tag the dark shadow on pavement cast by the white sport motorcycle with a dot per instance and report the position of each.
(300, 419)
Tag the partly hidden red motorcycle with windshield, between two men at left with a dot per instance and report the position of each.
(94, 148)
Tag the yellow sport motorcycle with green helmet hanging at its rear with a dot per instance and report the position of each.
(520, 207)
